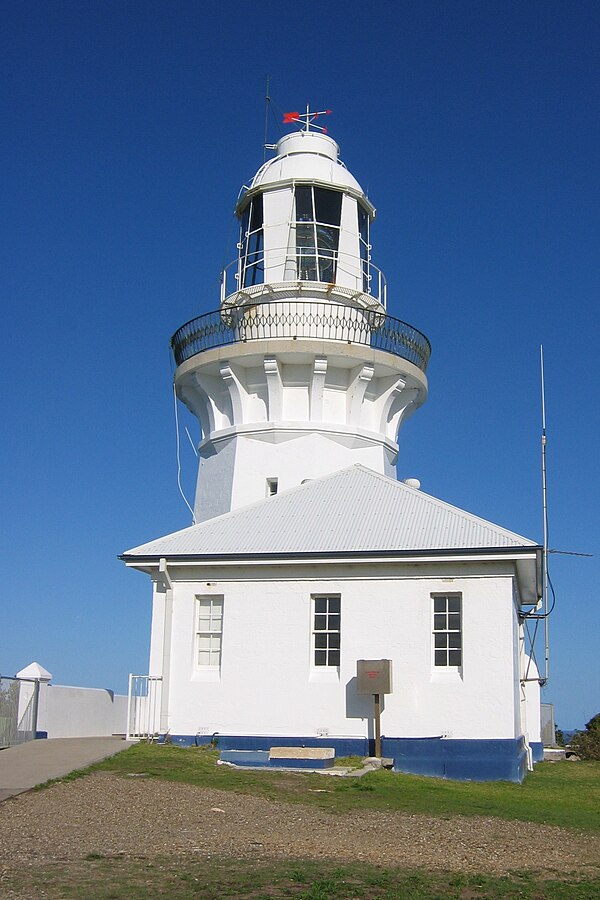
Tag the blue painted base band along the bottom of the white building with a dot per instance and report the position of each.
(462, 760)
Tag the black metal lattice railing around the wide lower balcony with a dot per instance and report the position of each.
(301, 319)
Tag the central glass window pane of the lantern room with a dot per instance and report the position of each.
(318, 216)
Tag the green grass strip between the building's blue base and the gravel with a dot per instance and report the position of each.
(562, 793)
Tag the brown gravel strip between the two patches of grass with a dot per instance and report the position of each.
(138, 817)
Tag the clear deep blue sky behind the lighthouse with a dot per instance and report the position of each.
(128, 130)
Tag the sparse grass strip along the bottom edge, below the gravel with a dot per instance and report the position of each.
(300, 879)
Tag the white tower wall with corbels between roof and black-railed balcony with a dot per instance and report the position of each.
(293, 415)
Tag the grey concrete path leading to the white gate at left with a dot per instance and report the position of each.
(24, 766)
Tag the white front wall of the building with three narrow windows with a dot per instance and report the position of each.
(267, 684)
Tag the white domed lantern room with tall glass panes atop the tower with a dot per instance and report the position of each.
(305, 224)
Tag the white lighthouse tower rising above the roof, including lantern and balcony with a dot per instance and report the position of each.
(300, 372)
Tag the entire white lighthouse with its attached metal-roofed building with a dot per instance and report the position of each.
(308, 554)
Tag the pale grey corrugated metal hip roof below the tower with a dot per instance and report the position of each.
(354, 510)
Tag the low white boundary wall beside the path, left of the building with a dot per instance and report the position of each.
(80, 712)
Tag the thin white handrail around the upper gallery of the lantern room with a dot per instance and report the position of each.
(287, 259)
